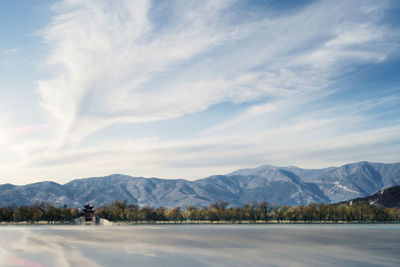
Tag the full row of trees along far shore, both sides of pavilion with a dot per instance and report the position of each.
(219, 212)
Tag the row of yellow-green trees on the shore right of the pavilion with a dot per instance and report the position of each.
(253, 212)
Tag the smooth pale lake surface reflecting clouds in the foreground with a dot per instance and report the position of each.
(201, 245)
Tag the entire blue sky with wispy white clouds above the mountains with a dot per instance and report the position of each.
(188, 89)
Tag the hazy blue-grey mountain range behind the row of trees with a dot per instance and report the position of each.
(281, 185)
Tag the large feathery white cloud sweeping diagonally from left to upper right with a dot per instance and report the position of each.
(109, 58)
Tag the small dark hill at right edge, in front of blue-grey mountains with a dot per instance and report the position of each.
(388, 198)
